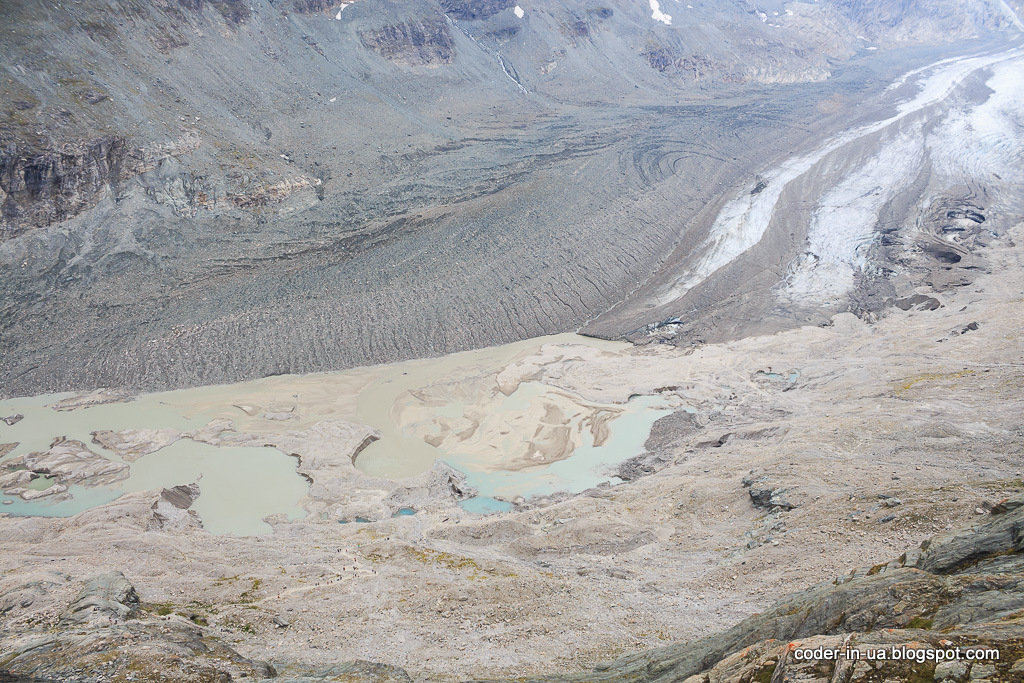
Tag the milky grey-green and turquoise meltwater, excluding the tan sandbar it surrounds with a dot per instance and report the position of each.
(242, 486)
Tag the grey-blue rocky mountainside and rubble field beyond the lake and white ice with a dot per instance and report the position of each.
(204, 192)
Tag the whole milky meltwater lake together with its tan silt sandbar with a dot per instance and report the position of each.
(240, 487)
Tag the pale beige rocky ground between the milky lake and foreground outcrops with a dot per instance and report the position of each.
(887, 435)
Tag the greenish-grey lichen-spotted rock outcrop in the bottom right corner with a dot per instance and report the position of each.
(962, 590)
